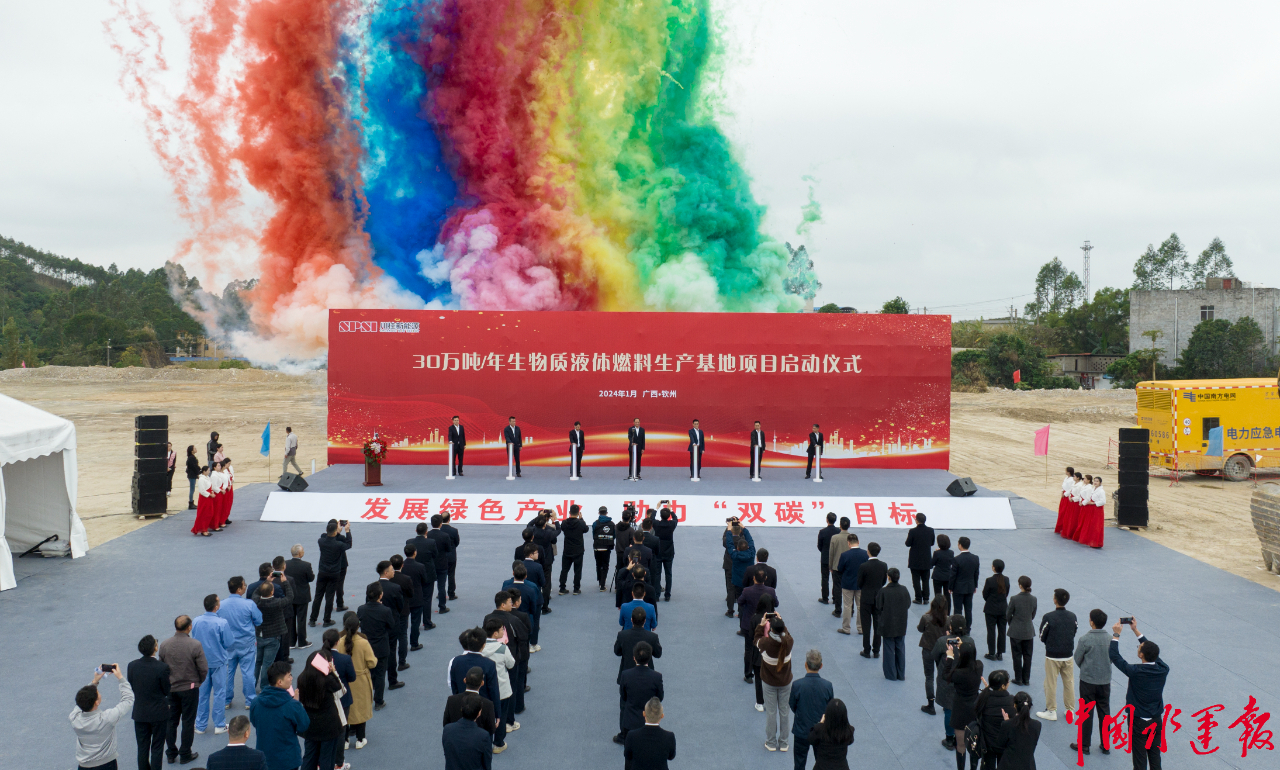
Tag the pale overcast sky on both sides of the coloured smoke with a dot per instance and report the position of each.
(957, 146)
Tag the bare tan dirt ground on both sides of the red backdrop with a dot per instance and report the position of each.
(991, 442)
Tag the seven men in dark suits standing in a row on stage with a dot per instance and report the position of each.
(514, 441)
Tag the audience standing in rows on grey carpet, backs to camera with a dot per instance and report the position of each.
(313, 716)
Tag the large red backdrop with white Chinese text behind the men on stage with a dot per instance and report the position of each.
(877, 384)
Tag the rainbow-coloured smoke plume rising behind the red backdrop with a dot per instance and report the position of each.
(468, 154)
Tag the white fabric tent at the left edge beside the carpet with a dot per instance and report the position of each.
(38, 484)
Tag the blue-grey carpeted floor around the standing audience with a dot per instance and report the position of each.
(1218, 632)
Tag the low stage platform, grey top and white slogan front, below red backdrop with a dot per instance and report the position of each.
(872, 498)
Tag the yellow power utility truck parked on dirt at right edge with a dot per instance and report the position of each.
(1181, 414)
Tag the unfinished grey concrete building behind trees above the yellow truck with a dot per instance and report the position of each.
(1177, 313)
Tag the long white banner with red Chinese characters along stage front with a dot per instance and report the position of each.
(698, 511)
